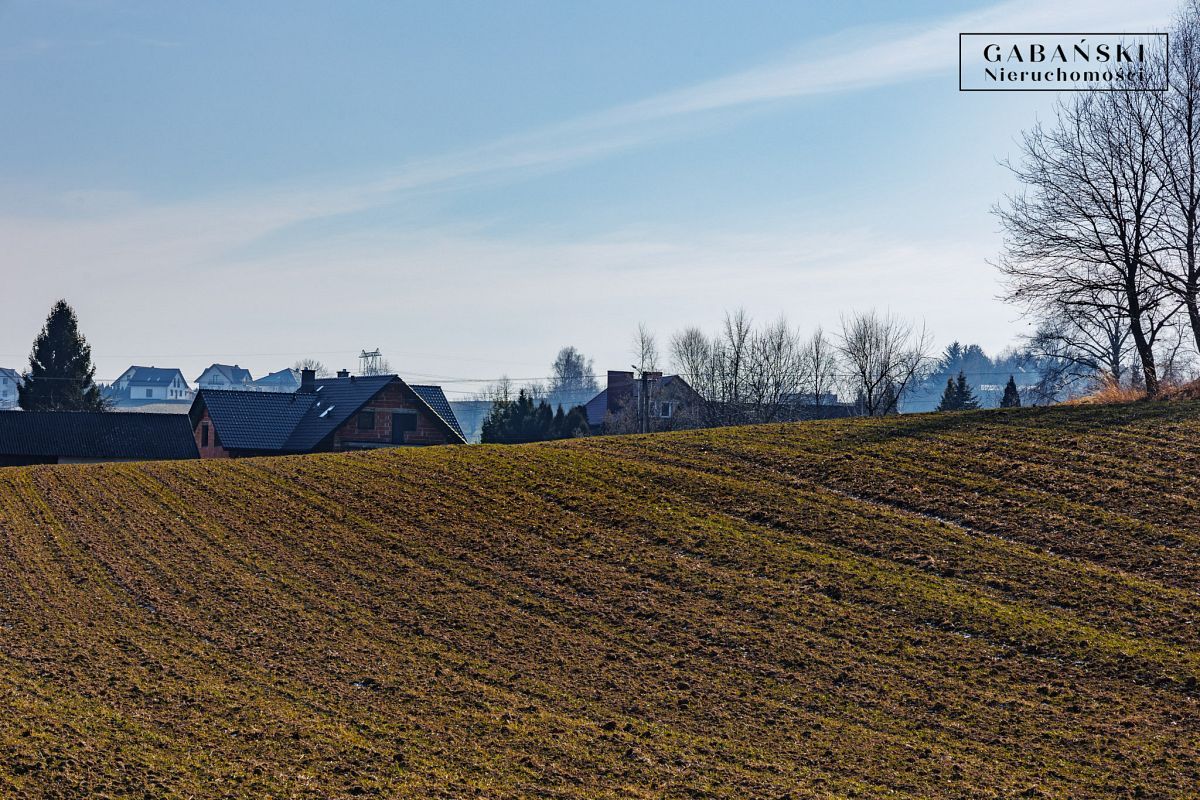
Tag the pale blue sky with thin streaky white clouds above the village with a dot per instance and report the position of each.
(471, 187)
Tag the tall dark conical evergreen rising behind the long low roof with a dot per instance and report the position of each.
(61, 376)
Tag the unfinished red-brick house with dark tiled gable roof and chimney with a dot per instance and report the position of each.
(331, 414)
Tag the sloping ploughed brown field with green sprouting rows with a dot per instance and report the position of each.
(961, 606)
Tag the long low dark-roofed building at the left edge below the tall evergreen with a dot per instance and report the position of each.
(87, 437)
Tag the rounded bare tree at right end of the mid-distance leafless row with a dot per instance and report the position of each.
(886, 356)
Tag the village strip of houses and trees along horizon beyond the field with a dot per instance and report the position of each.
(57, 413)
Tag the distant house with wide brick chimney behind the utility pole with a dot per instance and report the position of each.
(671, 404)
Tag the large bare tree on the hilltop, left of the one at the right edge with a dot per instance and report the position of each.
(1083, 232)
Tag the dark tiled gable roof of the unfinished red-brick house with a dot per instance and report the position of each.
(299, 423)
